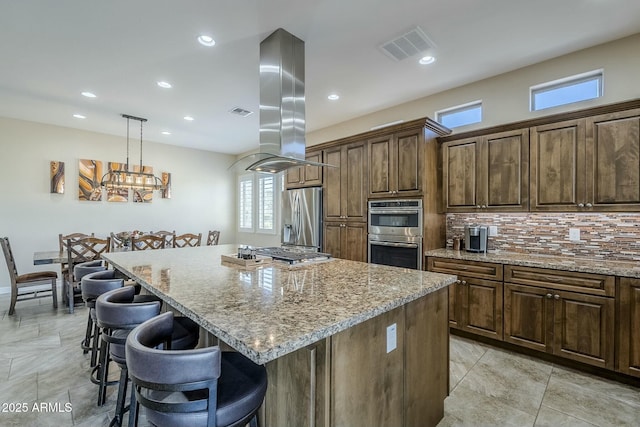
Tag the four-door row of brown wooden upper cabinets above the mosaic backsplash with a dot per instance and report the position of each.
(582, 161)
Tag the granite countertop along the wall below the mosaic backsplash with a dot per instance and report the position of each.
(583, 265)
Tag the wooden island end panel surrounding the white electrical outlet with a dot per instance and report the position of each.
(367, 382)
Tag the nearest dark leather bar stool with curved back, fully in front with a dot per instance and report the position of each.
(190, 388)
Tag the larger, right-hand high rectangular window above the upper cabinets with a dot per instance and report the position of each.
(571, 89)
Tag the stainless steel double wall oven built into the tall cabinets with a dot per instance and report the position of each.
(395, 233)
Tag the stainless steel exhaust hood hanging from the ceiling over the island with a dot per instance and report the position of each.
(282, 105)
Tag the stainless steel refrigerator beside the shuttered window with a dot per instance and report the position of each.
(302, 218)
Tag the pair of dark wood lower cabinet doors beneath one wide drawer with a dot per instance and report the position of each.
(572, 325)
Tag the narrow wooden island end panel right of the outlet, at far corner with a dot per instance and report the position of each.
(426, 359)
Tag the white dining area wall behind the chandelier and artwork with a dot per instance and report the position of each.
(203, 190)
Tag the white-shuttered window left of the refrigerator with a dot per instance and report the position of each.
(257, 202)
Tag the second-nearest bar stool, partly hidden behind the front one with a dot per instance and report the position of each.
(117, 313)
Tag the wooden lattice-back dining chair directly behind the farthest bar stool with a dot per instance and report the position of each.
(79, 251)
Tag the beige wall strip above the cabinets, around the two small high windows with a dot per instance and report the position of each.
(505, 97)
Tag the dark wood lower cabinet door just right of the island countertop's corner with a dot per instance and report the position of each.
(481, 307)
